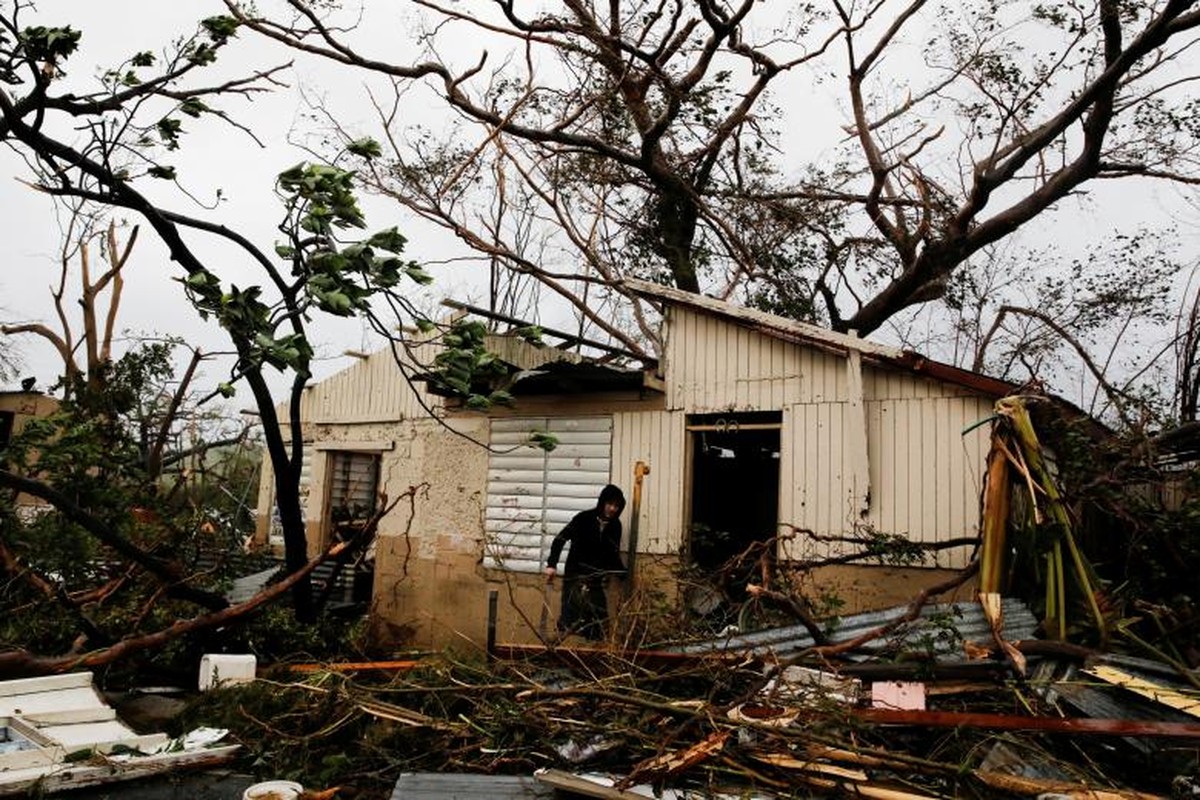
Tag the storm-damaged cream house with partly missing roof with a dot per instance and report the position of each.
(752, 425)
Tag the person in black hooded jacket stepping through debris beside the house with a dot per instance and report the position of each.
(596, 555)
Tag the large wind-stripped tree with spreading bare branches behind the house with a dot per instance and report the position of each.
(647, 137)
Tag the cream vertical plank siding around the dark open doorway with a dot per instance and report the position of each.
(925, 477)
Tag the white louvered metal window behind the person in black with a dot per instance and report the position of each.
(532, 494)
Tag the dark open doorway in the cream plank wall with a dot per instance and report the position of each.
(735, 488)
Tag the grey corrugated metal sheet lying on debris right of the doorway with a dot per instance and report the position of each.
(940, 630)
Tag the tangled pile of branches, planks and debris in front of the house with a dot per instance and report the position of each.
(922, 721)
